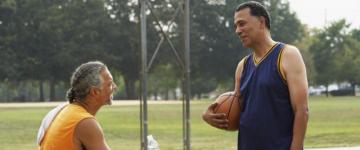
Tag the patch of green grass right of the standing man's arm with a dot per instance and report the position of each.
(334, 122)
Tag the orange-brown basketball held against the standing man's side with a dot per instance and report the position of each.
(229, 104)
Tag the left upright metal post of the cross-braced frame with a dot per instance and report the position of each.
(144, 74)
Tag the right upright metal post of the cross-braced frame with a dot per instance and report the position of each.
(187, 69)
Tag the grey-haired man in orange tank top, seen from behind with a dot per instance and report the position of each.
(75, 126)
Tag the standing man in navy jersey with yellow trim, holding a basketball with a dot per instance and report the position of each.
(272, 84)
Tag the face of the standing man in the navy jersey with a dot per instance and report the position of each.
(247, 27)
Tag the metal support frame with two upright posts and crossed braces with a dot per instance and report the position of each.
(184, 63)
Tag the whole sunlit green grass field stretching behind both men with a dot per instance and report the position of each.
(333, 122)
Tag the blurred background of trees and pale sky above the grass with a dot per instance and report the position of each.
(42, 41)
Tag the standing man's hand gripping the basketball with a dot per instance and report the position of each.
(217, 120)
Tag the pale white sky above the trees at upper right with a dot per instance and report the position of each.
(319, 13)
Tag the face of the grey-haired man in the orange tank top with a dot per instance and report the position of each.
(107, 88)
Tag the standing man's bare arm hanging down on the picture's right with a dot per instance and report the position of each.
(295, 73)
